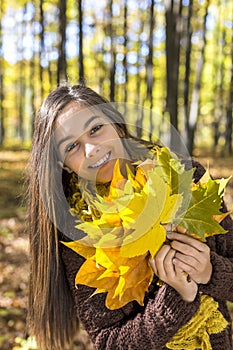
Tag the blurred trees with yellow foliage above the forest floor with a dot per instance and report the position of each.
(171, 57)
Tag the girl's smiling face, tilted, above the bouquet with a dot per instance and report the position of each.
(87, 143)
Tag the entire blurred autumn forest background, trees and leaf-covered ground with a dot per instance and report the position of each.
(172, 57)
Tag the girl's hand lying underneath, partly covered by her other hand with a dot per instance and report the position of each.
(171, 274)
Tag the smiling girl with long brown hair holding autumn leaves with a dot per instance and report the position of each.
(78, 137)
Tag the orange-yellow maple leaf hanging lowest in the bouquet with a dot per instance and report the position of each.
(123, 279)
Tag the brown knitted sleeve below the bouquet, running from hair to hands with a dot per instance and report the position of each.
(131, 327)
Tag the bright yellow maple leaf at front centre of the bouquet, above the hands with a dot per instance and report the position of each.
(159, 208)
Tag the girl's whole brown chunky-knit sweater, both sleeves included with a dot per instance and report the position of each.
(150, 327)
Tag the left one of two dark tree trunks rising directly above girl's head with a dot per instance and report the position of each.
(61, 70)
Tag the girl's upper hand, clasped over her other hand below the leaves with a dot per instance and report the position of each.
(192, 256)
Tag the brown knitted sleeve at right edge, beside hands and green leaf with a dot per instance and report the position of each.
(220, 285)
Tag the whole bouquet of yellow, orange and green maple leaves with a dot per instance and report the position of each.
(131, 226)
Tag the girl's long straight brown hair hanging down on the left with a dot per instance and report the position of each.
(52, 317)
